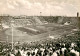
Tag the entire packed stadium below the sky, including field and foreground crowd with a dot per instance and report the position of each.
(39, 36)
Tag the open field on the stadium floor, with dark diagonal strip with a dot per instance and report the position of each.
(24, 34)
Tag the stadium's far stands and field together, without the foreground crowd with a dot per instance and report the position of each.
(35, 28)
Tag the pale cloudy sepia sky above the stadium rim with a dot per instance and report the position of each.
(34, 7)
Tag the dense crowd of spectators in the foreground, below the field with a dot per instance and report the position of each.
(62, 47)
